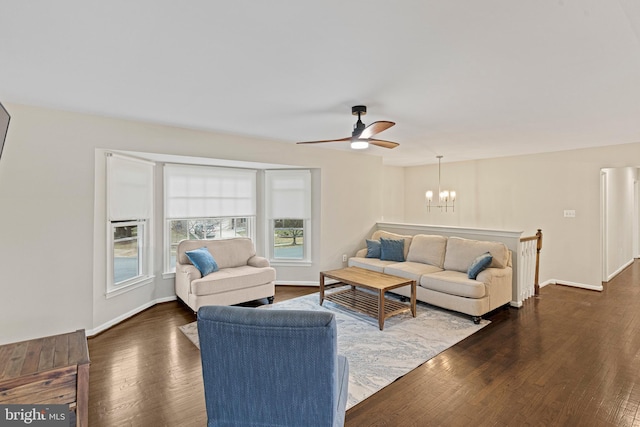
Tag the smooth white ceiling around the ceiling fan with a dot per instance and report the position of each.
(466, 79)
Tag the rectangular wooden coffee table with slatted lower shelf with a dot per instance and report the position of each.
(373, 304)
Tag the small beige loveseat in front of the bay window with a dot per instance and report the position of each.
(242, 276)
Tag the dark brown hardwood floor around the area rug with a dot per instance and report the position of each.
(570, 357)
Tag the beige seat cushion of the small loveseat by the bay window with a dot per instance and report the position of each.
(229, 279)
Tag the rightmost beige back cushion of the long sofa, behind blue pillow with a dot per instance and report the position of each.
(461, 253)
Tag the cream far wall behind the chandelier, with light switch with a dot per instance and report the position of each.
(527, 193)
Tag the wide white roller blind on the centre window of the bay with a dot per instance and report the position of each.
(202, 191)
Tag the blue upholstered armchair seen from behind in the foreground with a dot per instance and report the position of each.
(268, 367)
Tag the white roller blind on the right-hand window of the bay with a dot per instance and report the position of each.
(288, 194)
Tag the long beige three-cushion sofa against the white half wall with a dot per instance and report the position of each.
(440, 265)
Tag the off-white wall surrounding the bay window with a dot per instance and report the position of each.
(52, 236)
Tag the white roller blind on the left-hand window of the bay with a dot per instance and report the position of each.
(129, 188)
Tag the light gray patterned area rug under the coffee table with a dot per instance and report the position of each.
(377, 358)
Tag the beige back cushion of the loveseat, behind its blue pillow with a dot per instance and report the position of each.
(226, 252)
